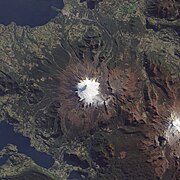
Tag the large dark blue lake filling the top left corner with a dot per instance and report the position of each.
(28, 12)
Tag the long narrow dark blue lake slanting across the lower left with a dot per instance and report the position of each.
(8, 136)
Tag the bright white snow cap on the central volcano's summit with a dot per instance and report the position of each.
(89, 92)
